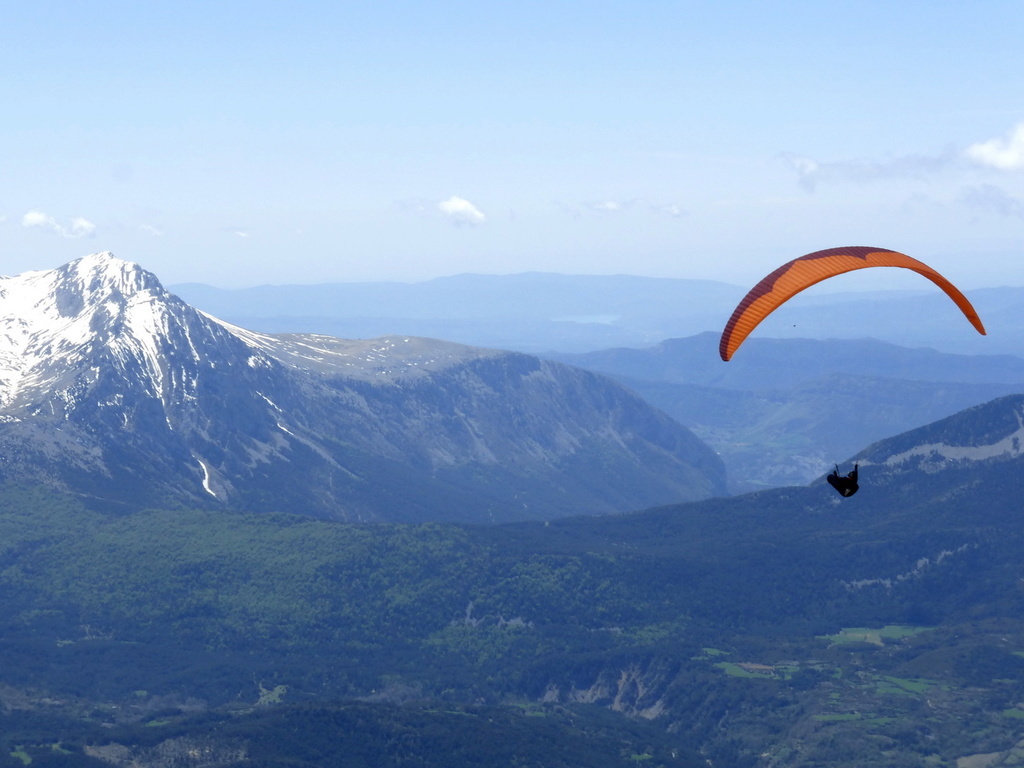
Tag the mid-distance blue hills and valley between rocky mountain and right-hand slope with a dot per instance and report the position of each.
(782, 411)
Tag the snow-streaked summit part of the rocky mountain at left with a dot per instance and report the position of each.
(55, 325)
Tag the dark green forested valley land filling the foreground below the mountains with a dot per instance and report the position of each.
(765, 630)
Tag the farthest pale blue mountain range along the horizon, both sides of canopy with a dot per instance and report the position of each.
(539, 313)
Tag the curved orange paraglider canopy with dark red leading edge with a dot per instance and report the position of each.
(794, 277)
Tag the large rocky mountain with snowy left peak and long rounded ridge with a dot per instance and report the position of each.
(116, 390)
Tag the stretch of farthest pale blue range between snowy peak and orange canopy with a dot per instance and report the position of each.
(531, 312)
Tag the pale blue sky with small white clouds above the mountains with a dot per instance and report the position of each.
(239, 144)
